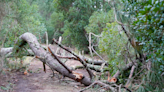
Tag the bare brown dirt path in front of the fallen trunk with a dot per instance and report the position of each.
(39, 81)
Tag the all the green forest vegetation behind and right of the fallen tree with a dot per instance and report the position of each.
(119, 23)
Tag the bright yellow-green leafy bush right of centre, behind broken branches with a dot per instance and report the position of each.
(113, 44)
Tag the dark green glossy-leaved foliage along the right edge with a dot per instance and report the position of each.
(148, 28)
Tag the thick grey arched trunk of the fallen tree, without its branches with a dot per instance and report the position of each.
(46, 57)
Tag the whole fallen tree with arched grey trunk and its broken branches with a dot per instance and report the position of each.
(51, 60)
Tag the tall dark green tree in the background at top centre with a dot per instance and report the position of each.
(76, 16)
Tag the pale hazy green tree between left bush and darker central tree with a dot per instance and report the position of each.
(45, 9)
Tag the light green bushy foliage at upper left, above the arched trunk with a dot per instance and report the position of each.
(20, 18)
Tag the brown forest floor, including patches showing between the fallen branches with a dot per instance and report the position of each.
(37, 80)
